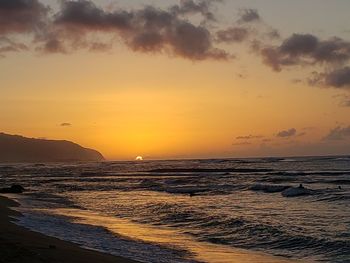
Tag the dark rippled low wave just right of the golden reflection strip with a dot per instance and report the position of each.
(244, 233)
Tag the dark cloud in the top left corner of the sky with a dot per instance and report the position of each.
(21, 16)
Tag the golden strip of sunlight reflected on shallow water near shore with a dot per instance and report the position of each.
(201, 251)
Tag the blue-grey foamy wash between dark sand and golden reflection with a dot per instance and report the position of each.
(101, 239)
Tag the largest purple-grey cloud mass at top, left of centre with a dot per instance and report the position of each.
(145, 30)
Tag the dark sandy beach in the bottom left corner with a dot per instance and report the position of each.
(19, 244)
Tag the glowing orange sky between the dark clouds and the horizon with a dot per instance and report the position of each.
(125, 103)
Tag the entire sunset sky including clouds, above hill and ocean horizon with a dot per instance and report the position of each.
(178, 79)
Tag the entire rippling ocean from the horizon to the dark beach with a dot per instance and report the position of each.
(192, 210)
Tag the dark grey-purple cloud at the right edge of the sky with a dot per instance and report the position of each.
(308, 50)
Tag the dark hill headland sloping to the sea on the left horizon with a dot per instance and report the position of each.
(15, 148)
